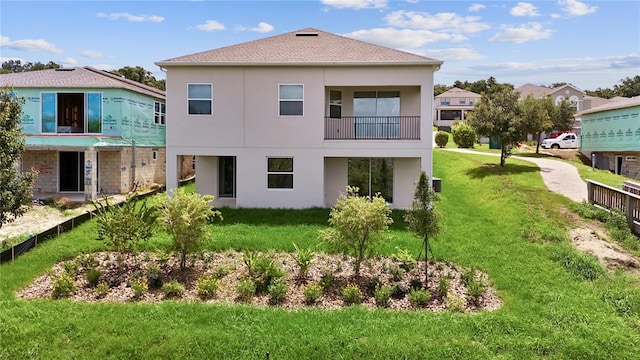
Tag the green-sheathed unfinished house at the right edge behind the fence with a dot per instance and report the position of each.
(611, 136)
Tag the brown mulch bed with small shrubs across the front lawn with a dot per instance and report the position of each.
(336, 268)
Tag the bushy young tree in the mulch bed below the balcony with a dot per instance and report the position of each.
(357, 225)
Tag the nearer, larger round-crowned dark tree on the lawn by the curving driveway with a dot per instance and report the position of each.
(498, 116)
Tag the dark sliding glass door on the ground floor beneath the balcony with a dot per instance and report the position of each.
(372, 176)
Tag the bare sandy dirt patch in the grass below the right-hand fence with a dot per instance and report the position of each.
(608, 254)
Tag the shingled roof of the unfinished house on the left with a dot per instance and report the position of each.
(77, 77)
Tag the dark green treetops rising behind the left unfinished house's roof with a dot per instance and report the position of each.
(134, 73)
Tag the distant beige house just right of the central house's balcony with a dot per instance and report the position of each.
(453, 105)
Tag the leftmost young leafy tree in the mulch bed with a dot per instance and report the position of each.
(122, 227)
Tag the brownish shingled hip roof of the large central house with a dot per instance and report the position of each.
(302, 48)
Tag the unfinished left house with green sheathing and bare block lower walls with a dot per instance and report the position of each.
(90, 132)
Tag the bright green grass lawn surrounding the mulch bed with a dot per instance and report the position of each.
(491, 215)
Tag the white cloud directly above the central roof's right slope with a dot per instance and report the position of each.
(402, 38)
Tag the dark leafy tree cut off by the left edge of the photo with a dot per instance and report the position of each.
(15, 186)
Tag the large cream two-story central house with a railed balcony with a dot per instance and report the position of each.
(289, 121)
